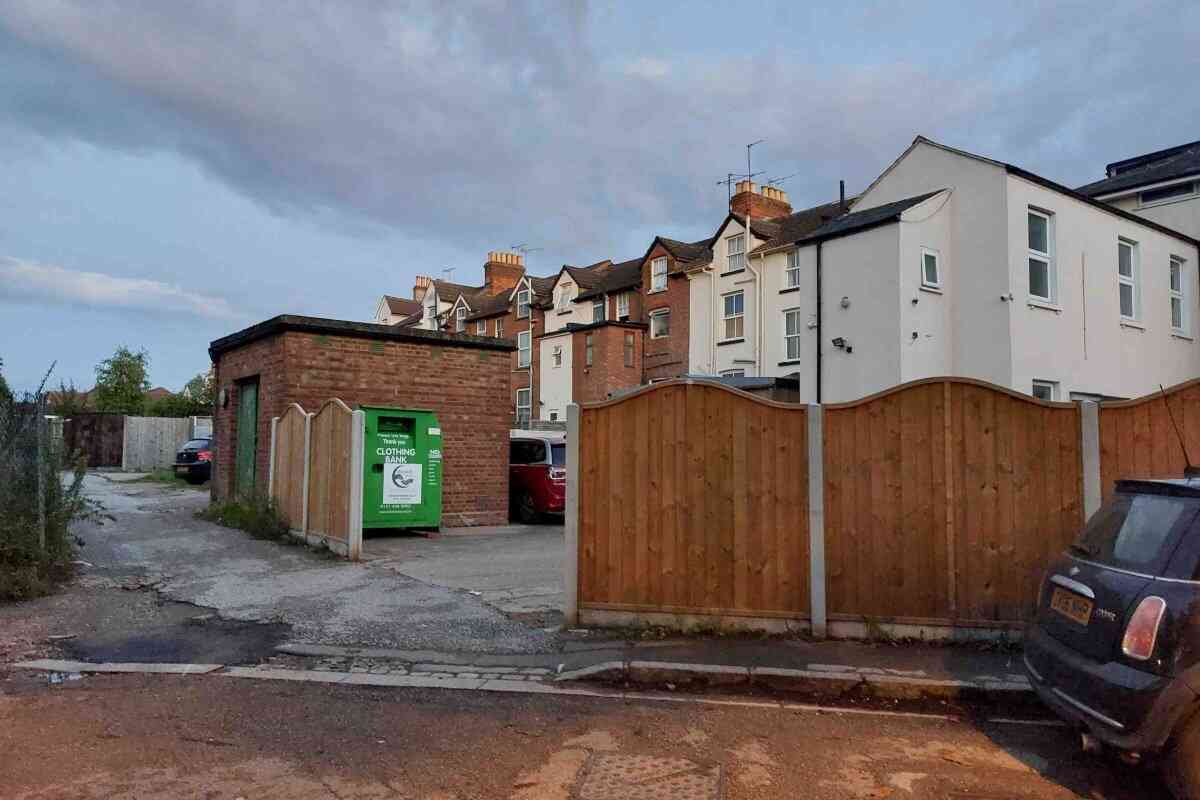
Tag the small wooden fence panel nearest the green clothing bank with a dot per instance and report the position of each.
(329, 472)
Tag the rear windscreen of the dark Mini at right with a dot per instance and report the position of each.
(1137, 532)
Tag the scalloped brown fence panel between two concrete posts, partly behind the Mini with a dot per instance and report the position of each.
(945, 500)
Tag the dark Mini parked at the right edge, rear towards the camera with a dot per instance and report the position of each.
(1115, 643)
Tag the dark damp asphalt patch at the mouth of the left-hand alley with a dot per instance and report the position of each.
(182, 634)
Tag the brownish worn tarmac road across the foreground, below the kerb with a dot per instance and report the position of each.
(153, 738)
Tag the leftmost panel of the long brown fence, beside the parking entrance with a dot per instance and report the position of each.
(694, 501)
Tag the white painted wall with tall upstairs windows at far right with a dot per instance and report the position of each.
(1083, 345)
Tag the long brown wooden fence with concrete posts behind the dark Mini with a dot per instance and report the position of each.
(932, 508)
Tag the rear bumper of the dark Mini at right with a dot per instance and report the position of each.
(1123, 707)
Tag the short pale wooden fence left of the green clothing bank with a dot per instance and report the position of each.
(317, 476)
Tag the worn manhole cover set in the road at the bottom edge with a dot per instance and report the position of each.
(646, 778)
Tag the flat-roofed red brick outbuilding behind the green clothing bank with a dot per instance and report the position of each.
(464, 380)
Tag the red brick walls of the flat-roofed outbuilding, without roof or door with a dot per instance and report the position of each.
(465, 387)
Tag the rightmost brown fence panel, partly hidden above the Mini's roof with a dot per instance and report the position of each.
(1139, 441)
